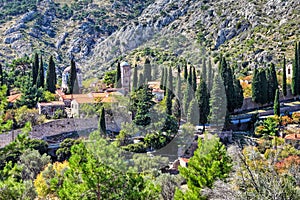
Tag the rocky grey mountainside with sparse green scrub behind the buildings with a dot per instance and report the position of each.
(96, 31)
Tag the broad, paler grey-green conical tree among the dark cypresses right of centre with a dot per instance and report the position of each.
(218, 102)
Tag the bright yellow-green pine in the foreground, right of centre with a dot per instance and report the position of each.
(209, 163)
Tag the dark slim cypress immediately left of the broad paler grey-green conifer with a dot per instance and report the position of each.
(203, 102)
